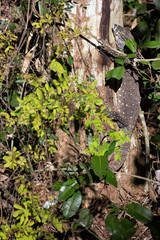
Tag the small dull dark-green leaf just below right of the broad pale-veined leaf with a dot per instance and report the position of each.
(85, 218)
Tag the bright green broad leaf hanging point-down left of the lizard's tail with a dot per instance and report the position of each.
(99, 165)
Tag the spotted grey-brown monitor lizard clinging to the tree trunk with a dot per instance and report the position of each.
(128, 97)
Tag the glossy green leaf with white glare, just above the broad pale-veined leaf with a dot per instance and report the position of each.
(68, 189)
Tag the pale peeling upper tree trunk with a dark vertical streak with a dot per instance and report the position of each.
(99, 17)
